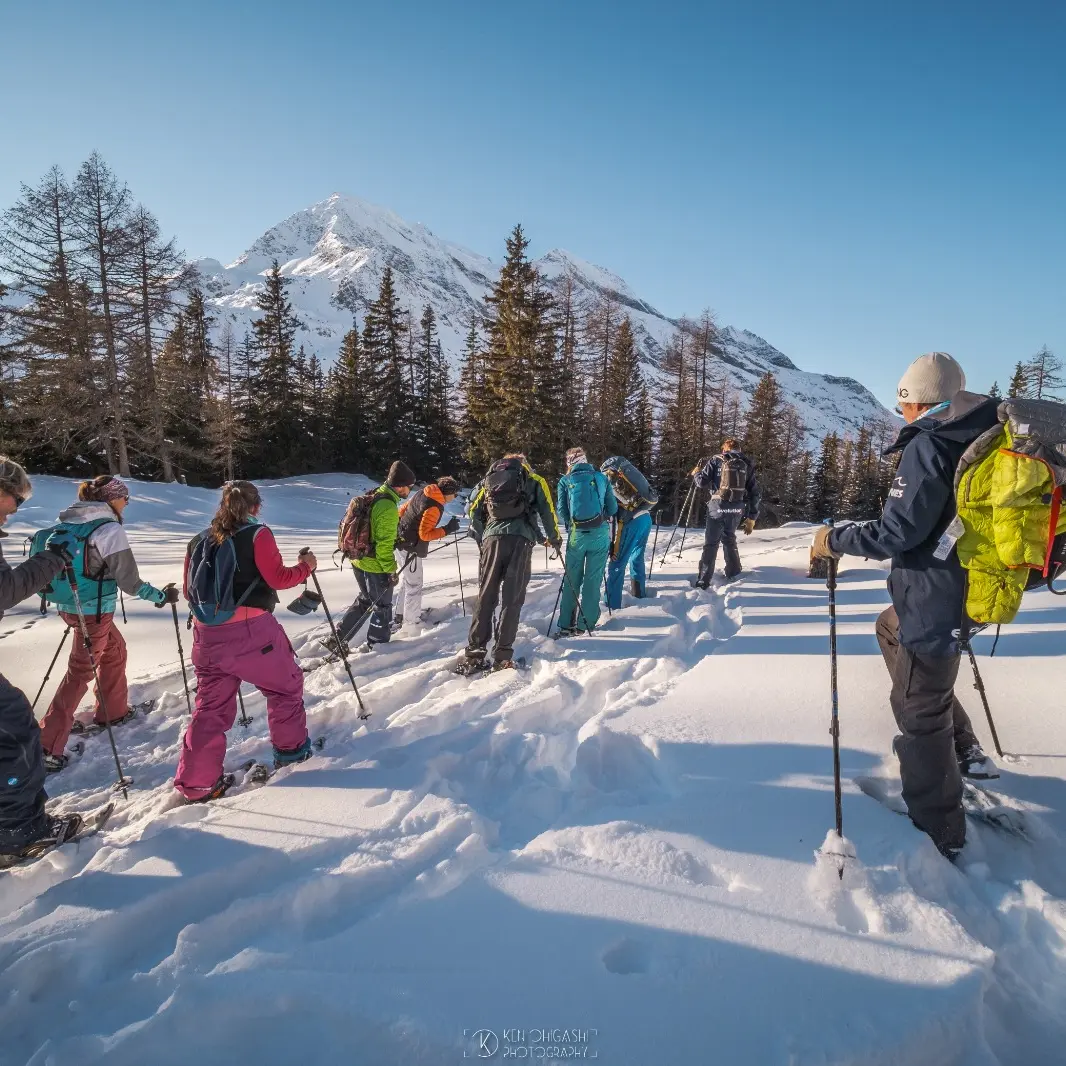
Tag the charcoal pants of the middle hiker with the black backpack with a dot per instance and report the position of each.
(504, 575)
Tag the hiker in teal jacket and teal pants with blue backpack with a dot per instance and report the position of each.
(586, 504)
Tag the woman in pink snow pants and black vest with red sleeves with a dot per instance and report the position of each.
(250, 647)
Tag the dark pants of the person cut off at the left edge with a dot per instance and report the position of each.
(23, 818)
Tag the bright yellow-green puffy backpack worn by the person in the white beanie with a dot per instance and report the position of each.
(1012, 526)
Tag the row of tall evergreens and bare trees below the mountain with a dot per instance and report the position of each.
(110, 360)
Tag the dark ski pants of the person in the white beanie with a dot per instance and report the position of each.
(935, 730)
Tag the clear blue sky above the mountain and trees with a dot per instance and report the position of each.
(858, 183)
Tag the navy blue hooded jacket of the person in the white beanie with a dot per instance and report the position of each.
(929, 594)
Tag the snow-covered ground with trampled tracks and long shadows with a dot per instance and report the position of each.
(612, 854)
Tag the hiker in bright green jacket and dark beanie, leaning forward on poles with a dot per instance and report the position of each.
(377, 573)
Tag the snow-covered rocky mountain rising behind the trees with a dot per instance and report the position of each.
(334, 253)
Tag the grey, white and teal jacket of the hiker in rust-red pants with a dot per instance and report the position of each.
(109, 560)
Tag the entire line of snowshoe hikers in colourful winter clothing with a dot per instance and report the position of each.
(234, 572)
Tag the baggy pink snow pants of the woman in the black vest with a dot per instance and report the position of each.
(259, 652)
